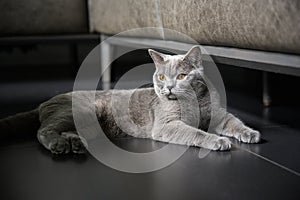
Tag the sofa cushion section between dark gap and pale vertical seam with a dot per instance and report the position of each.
(113, 16)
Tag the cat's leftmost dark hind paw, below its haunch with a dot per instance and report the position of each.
(59, 145)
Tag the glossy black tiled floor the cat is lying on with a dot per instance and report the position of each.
(270, 170)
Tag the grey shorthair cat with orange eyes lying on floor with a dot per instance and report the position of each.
(176, 79)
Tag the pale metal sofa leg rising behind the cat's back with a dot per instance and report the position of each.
(106, 51)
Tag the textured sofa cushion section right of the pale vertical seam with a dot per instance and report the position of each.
(272, 25)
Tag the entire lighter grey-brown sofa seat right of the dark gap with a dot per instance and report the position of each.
(270, 25)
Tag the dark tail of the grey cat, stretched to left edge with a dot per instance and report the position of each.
(21, 125)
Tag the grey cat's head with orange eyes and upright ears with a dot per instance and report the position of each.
(175, 74)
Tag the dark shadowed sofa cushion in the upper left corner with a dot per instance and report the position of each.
(23, 17)
